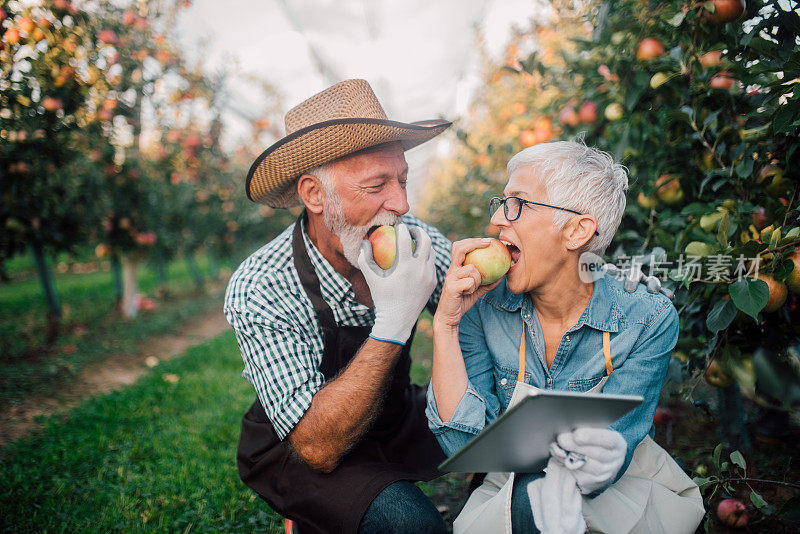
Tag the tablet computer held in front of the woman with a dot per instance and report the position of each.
(519, 440)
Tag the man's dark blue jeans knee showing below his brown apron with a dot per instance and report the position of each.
(402, 508)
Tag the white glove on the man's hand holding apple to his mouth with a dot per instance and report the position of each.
(400, 293)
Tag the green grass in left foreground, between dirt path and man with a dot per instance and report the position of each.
(155, 457)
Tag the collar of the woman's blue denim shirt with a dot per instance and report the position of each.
(602, 313)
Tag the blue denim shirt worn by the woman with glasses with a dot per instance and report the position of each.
(644, 330)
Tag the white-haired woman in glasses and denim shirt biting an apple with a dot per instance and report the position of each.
(547, 327)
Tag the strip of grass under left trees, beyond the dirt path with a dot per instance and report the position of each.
(90, 330)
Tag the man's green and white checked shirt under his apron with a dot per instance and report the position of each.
(277, 329)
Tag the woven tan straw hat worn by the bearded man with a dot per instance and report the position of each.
(342, 119)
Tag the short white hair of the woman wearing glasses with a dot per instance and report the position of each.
(579, 178)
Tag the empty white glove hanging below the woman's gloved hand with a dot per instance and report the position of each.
(556, 502)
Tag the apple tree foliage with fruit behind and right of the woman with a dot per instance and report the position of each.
(706, 121)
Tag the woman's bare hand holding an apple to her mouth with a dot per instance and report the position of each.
(462, 285)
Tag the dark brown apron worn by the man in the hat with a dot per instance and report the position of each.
(398, 446)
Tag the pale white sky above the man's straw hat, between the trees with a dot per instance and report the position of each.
(419, 56)
